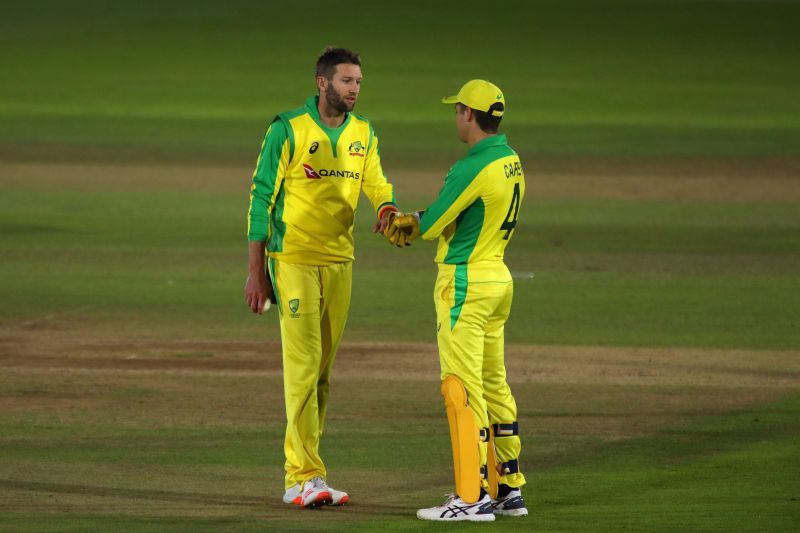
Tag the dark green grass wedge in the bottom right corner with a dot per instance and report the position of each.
(732, 473)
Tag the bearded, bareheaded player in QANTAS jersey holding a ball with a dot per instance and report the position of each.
(314, 162)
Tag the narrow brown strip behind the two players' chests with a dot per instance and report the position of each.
(700, 178)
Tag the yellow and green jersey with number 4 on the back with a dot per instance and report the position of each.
(476, 211)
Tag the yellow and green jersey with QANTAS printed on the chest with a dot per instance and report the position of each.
(306, 185)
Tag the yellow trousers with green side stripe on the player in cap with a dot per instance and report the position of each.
(473, 302)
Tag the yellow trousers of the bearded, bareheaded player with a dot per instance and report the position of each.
(313, 302)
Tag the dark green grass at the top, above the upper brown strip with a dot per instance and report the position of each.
(614, 77)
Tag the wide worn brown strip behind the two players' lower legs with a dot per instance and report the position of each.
(596, 387)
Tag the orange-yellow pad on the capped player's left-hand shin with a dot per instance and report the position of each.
(464, 437)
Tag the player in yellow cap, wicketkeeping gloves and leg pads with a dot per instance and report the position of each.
(474, 219)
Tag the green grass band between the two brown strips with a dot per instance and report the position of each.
(606, 272)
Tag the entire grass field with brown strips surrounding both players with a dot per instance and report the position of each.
(654, 344)
